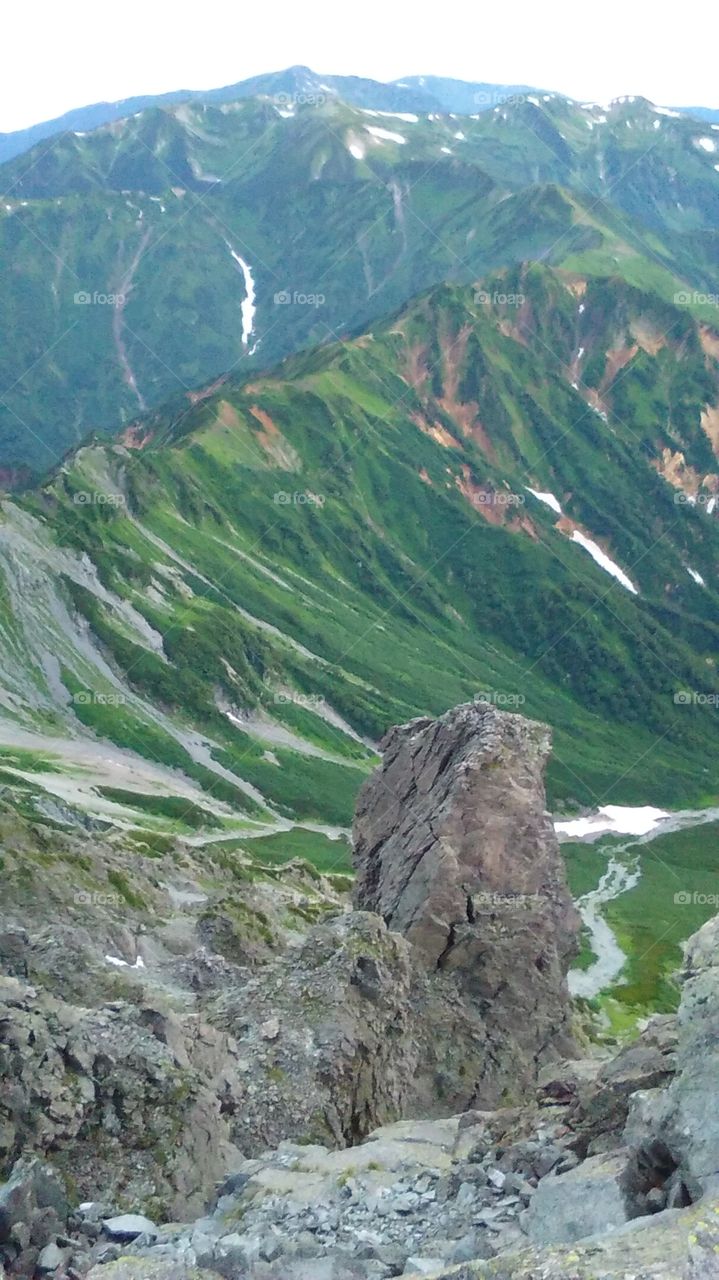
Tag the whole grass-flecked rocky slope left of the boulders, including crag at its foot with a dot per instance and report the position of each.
(112, 1066)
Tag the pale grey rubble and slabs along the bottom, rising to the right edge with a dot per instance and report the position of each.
(501, 1195)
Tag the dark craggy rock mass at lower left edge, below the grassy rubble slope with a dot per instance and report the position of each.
(127, 1099)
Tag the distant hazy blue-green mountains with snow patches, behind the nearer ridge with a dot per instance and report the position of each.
(163, 250)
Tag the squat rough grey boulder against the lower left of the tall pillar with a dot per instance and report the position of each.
(328, 1039)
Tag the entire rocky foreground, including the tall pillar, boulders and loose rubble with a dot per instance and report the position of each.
(281, 1087)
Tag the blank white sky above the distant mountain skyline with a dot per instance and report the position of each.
(58, 54)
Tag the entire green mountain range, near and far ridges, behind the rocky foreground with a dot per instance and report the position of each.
(324, 418)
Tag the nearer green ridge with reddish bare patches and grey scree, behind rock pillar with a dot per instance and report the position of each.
(232, 607)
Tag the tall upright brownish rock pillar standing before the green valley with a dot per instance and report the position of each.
(455, 849)
